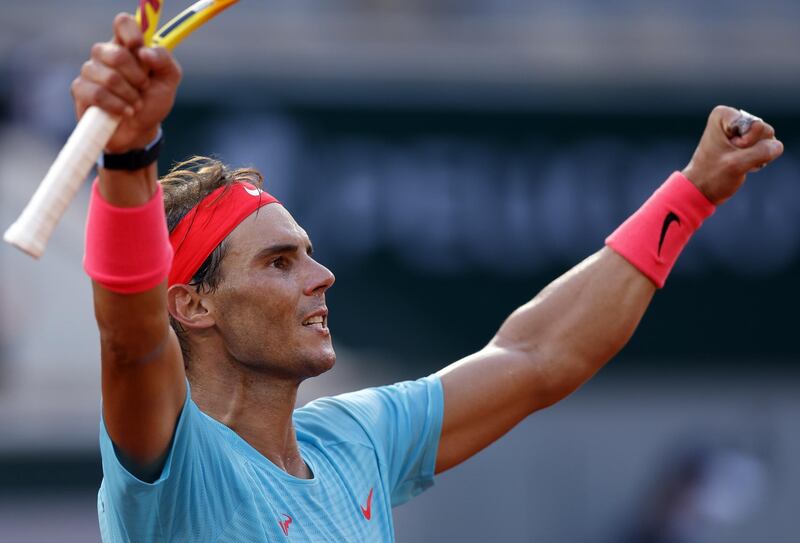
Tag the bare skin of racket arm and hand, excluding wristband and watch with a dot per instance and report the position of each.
(143, 378)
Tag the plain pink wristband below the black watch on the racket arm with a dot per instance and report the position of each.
(127, 248)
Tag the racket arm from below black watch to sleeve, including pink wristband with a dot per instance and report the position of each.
(142, 370)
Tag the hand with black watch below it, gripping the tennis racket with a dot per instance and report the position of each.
(129, 80)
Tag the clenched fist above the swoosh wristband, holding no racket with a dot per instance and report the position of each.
(723, 157)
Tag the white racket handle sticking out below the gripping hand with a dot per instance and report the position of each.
(31, 231)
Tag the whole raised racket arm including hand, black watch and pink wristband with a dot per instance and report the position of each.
(127, 252)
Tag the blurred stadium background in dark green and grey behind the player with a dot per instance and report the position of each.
(449, 159)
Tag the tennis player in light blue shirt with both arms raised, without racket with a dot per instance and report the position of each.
(210, 320)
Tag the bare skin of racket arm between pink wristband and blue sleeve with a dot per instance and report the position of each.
(142, 376)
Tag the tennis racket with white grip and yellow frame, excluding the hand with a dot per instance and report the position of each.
(35, 224)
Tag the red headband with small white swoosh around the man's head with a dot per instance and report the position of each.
(208, 223)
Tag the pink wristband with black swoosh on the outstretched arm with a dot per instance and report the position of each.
(653, 237)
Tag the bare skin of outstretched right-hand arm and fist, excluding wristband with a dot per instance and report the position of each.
(553, 344)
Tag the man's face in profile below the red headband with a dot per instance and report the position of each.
(270, 304)
